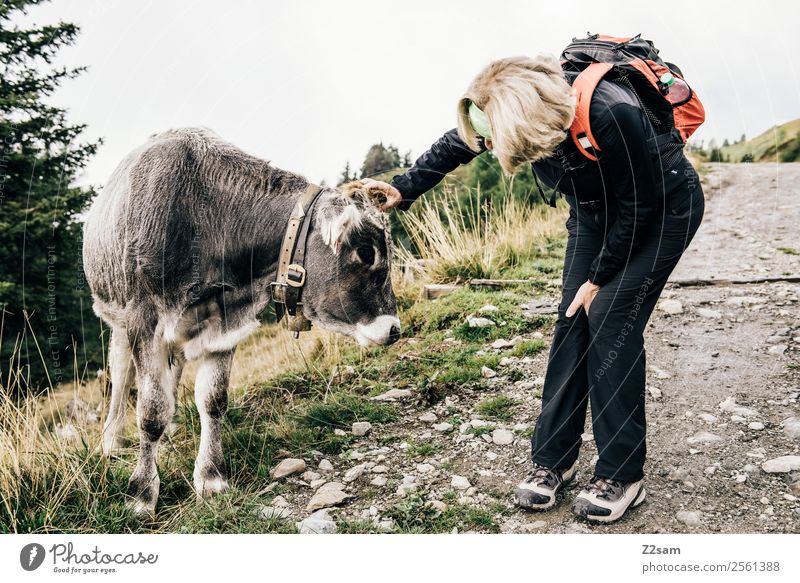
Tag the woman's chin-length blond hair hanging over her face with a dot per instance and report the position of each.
(529, 104)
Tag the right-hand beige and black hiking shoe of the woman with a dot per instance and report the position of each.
(606, 500)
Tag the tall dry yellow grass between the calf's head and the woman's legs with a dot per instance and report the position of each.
(484, 239)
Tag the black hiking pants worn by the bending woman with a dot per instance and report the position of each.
(601, 356)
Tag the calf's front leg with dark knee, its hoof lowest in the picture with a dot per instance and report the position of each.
(156, 377)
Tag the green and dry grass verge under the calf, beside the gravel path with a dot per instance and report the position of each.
(289, 397)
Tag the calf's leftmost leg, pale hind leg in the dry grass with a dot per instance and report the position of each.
(122, 377)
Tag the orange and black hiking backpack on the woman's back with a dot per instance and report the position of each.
(668, 101)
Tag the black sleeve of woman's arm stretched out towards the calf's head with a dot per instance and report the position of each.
(444, 156)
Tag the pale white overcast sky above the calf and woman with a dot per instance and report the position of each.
(312, 84)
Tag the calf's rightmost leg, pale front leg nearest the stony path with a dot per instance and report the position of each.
(211, 397)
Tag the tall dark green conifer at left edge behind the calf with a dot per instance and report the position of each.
(44, 299)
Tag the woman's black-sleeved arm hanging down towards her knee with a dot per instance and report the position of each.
(627, 163)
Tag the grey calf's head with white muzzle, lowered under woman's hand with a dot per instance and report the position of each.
(348, 267)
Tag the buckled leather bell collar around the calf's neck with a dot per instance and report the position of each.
(291, 276)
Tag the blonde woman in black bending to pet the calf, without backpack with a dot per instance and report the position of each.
(632, 213)
